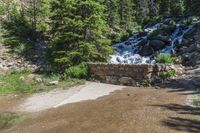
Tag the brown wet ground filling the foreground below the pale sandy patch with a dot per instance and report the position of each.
(131, 110)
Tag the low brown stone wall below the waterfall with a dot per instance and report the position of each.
(132, 75)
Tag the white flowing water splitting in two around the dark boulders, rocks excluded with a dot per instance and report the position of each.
(128, 52)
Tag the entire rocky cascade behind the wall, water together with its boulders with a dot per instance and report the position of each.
(141, 48)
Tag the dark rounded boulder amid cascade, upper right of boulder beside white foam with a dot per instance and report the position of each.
(157, 44)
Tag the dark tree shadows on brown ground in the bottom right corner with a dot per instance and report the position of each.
(181, 123)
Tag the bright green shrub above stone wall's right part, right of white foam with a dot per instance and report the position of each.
(165, 58)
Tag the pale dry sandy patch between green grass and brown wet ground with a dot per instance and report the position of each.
(59, 97)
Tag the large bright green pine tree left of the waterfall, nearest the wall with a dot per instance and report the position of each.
(80, 32)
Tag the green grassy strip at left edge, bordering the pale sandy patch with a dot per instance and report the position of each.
(20, 82)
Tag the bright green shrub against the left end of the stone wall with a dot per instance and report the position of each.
(80, 71)
